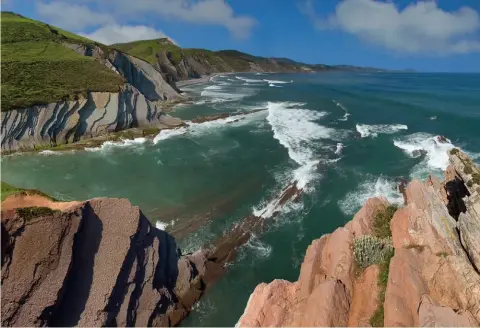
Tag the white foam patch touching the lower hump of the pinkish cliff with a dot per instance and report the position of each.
(372, 187)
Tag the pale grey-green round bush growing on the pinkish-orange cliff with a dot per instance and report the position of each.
(369, 250)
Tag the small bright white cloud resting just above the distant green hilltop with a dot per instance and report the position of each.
(127, 33)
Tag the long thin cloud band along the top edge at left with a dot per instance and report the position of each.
(69, 15)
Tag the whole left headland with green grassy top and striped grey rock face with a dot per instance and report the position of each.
(59, 88)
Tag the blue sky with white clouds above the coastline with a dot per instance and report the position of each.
(424, 35)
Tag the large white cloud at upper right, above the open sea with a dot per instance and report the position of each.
(421, 27)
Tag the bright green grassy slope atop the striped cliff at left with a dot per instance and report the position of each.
(37, 69)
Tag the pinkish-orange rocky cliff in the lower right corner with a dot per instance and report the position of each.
(417, 265)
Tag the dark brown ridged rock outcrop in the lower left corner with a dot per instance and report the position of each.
(96, 263)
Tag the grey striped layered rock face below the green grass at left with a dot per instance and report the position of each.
(138, 103)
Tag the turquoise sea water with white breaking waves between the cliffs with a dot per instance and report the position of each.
(344, 136)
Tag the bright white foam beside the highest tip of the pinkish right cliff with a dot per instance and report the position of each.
(436, 152)
